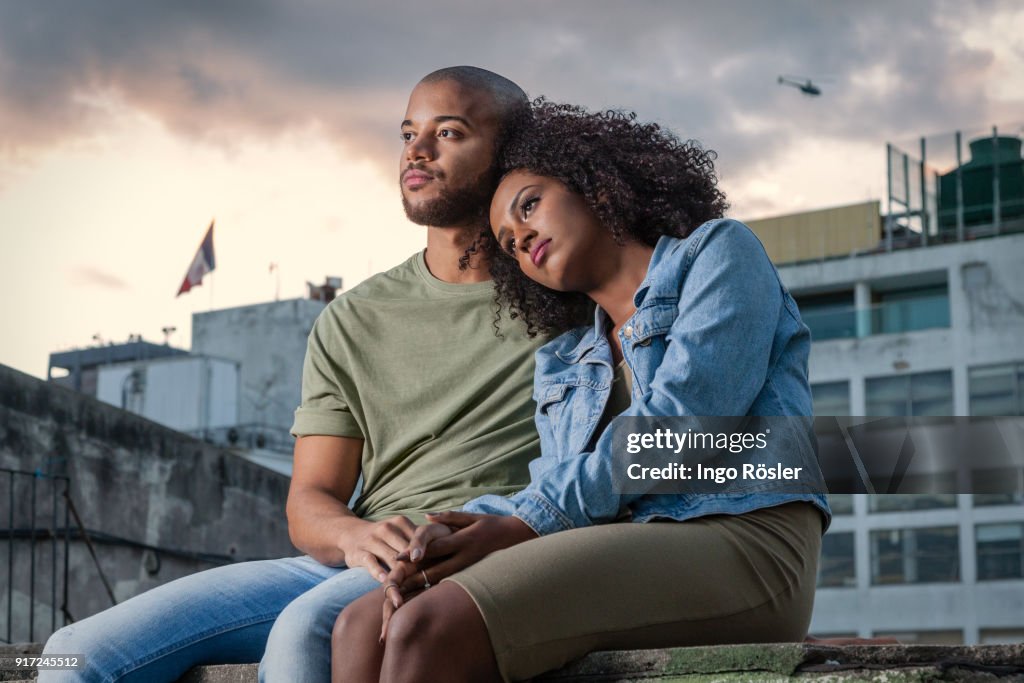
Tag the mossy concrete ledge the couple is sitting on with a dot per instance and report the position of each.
(731, 664)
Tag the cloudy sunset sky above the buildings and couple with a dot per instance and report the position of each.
(126, 126)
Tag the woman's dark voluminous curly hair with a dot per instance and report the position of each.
(641, 180)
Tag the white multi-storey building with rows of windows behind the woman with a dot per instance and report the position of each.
(914, 327)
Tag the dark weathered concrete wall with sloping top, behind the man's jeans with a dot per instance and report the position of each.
(134, 482)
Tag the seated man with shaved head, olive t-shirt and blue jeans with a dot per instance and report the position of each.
(406, 383)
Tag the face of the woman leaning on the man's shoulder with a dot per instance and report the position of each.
(551, 232)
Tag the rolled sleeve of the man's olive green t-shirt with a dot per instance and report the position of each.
(326, 410)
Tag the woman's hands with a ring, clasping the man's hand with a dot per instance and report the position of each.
(449, 543)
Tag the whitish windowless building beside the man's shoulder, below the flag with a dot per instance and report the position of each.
(238, 387)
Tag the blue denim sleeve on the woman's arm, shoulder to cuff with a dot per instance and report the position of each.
(716, 364)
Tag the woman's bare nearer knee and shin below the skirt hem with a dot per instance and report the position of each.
(440, 636)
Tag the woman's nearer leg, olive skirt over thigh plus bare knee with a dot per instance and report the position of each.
(714, 580)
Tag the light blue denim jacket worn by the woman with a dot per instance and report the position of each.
(715, 334)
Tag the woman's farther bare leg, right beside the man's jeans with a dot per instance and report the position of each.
(356, 649)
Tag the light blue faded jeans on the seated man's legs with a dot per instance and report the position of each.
(279, 613)
